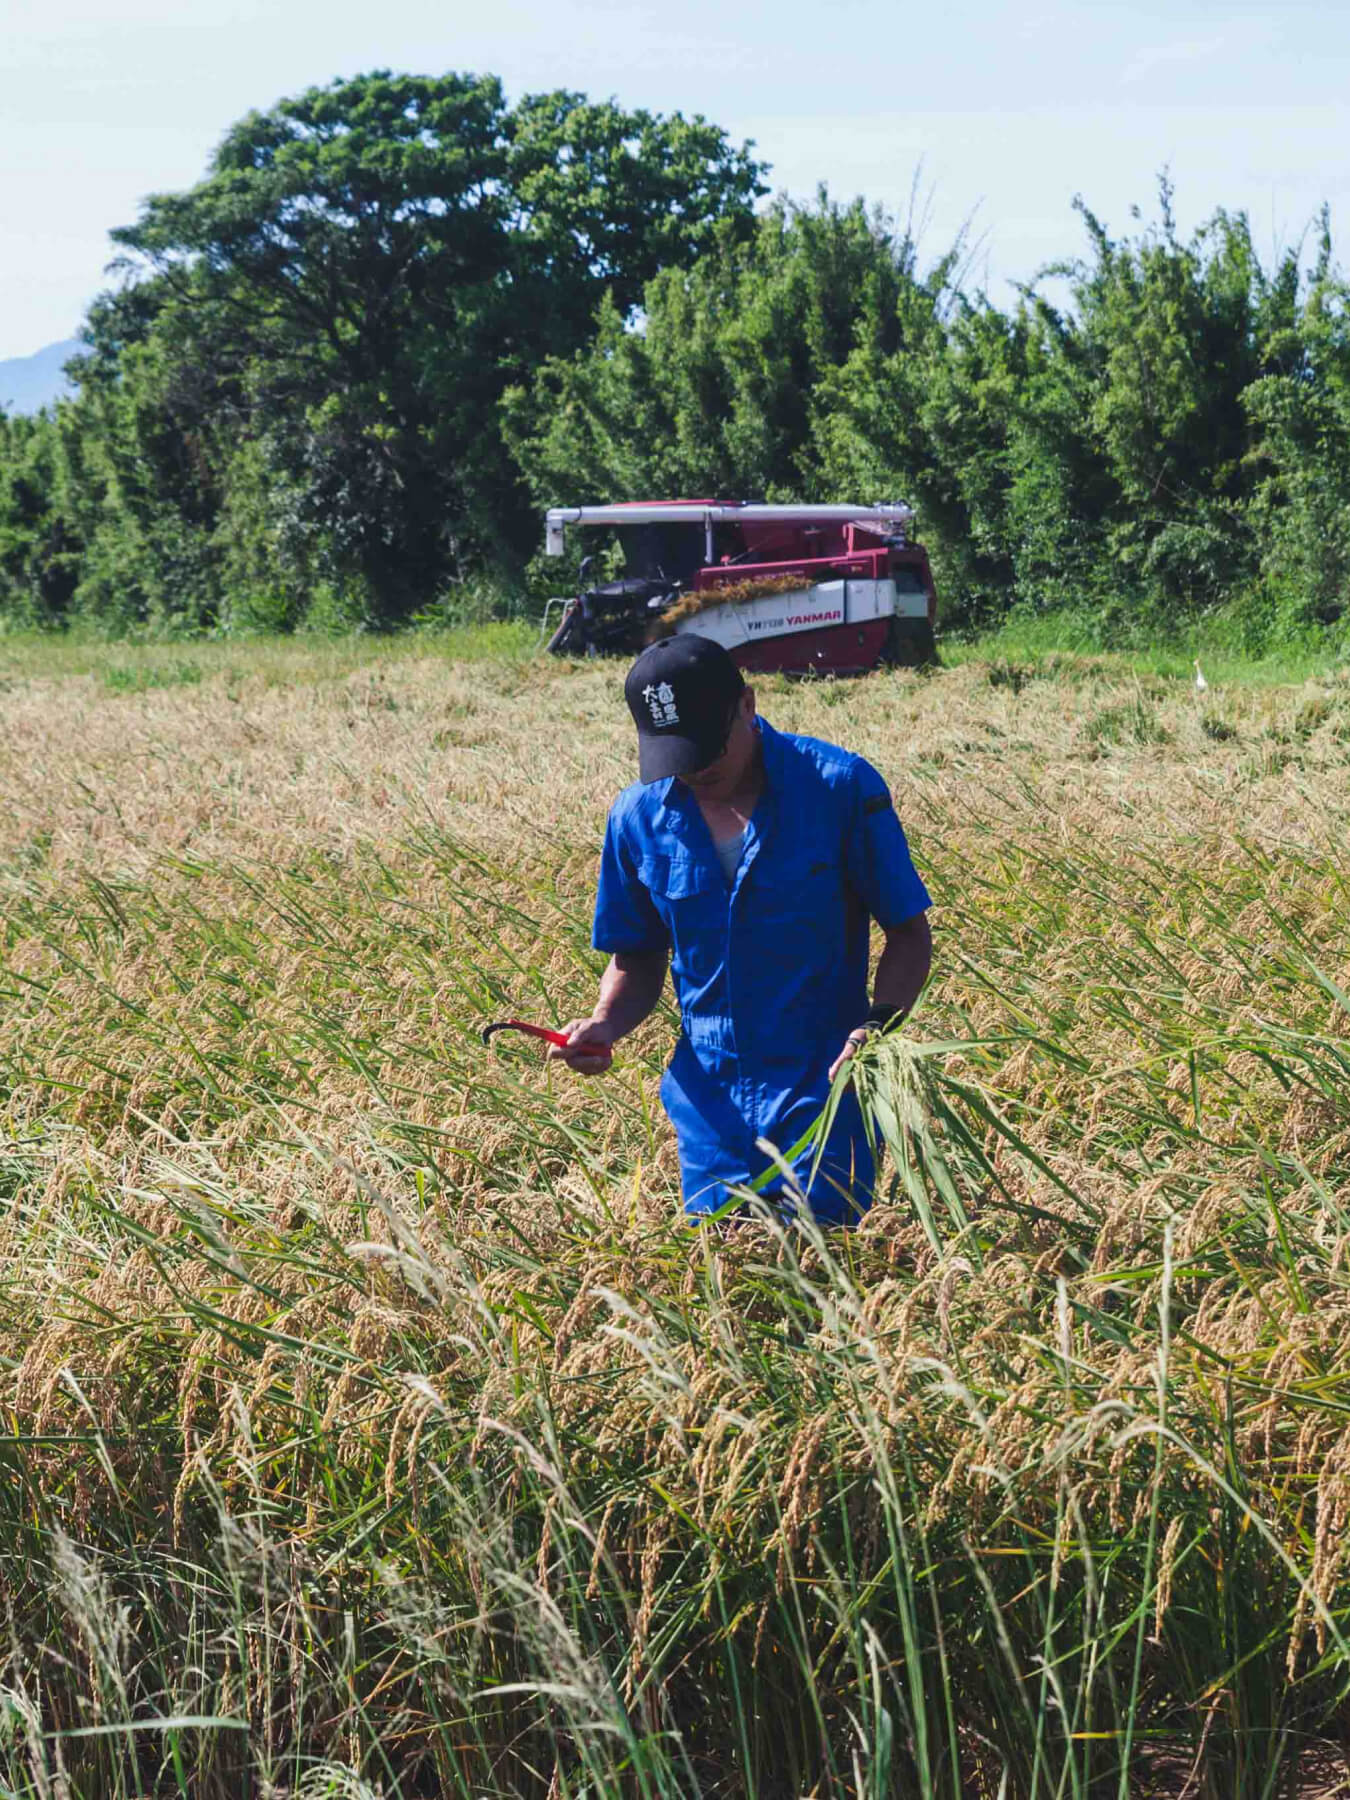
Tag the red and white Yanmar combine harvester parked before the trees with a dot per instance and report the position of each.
(836, 589)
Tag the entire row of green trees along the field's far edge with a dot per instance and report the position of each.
(343, 375)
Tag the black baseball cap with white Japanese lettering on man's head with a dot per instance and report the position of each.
(681, 694)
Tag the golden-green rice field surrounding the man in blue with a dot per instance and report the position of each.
(372, 1421)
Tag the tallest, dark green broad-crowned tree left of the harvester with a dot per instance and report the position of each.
(339, 305)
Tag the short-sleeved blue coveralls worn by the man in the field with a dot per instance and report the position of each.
(771, 975)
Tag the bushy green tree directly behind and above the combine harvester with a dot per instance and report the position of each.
(714, 390)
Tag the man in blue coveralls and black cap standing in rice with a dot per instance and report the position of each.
(751, 861)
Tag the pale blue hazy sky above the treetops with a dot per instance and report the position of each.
(1005, 112)
